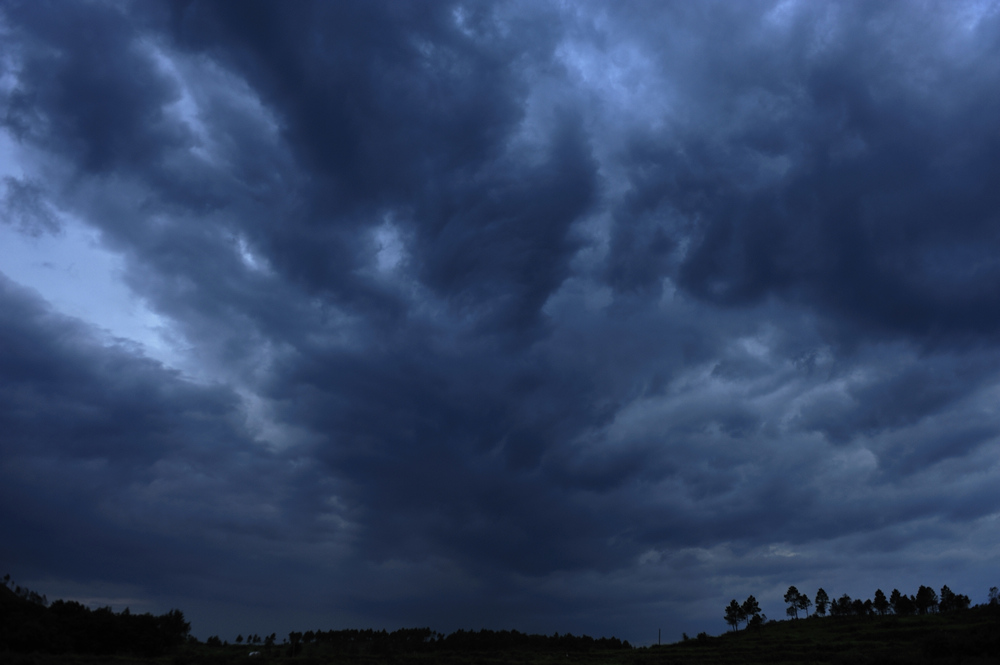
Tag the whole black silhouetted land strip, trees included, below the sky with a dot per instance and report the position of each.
(926, 627)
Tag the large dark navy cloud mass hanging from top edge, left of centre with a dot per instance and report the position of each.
(407, 108)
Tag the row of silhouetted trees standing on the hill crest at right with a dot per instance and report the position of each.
(925, 601)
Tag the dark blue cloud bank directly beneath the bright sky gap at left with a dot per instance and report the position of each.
(117, 469)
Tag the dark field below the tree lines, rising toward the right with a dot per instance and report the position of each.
(971, 636)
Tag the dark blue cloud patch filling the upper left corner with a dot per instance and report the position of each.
(91, 92)
